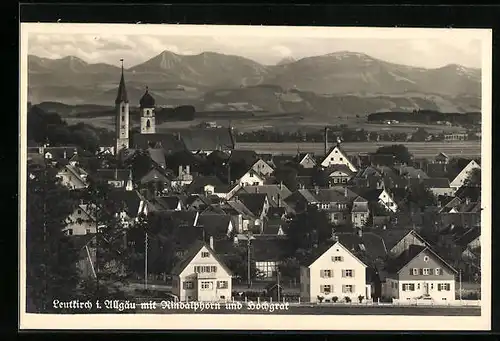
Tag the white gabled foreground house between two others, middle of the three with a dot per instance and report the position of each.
(333, 272)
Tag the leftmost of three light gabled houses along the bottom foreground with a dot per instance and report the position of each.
(202, 276)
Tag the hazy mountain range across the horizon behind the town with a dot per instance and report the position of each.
(337, 83)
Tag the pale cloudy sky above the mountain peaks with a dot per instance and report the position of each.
(265, 49)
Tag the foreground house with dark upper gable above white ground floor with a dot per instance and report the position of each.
(419, 273)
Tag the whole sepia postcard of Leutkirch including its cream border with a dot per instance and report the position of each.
(261, 178)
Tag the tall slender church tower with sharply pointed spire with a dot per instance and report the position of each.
(122, 116)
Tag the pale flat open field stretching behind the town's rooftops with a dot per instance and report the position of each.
(418, 149)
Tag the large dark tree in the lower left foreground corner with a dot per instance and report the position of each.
(51, 257)
